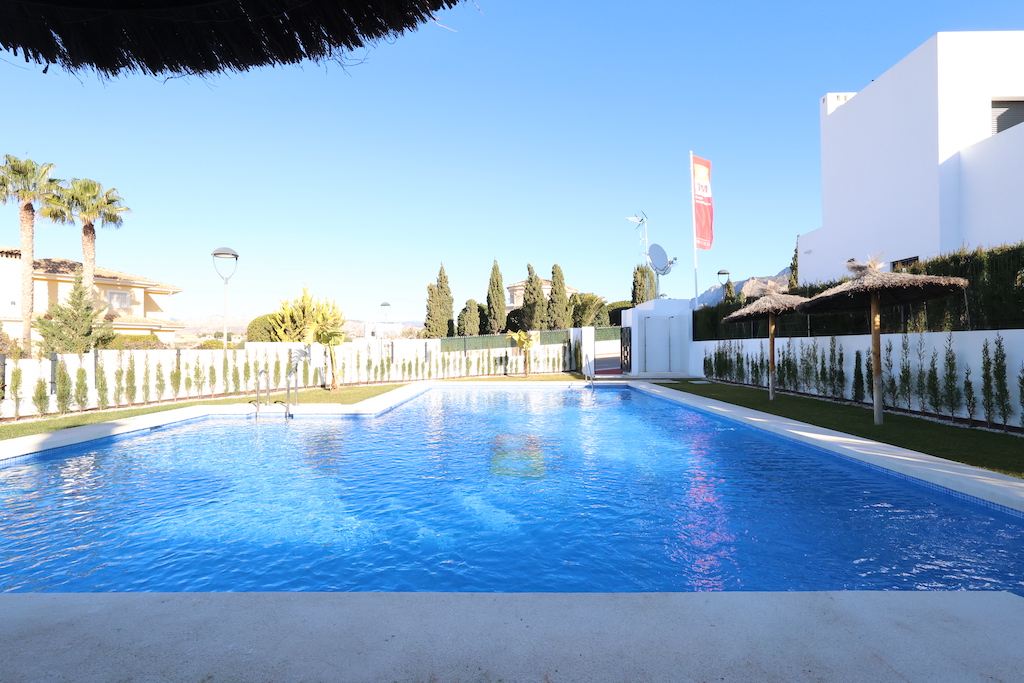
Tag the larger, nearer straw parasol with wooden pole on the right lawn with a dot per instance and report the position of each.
(873, 288)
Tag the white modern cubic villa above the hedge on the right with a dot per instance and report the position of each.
(925, 160)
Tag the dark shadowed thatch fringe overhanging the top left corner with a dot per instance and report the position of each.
(200, 36)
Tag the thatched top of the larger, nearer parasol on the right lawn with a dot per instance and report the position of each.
(893, 289)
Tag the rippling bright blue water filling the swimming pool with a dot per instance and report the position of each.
(482, 490)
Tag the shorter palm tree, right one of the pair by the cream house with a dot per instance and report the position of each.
(89, 202)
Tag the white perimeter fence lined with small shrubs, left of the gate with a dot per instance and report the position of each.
(110, 379)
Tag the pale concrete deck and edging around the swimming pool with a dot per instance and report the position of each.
(831, 636)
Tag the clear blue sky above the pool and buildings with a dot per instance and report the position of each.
(526, 136)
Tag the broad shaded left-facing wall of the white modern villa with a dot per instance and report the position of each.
(880, 188)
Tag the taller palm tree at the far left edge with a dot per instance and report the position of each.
(28, 183)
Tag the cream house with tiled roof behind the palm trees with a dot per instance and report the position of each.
(136, 306)
